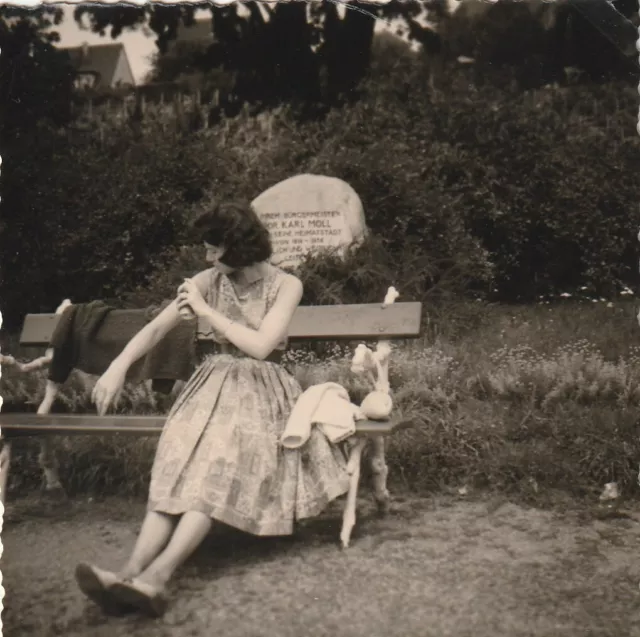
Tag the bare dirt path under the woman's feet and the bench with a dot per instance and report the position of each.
(434, 567)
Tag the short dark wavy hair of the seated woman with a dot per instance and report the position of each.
(237, 228)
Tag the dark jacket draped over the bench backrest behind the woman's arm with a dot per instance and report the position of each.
(89, 336)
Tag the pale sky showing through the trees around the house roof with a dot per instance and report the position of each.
(138, 44)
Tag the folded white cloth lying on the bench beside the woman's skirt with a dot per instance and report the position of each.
(326, 405)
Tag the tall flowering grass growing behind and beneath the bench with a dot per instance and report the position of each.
(516, 399)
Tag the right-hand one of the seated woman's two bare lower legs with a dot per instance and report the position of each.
(191, 530)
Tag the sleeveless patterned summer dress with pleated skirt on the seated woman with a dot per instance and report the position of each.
(219, 452)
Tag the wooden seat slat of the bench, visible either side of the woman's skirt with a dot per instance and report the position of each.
(16, 425)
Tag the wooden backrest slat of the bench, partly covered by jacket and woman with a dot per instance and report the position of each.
(311, 322)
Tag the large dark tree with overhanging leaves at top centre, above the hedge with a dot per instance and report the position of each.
(273, 52)
